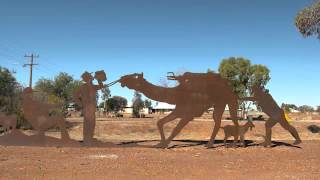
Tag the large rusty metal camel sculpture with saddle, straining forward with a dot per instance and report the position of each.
(194, 95)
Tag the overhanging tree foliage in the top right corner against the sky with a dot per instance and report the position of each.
(308, 20)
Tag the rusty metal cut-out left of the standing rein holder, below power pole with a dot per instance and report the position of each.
(38, 114)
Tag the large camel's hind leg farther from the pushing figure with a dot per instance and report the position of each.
(217, 116)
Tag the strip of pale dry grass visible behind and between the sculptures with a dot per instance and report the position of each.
(126, 129)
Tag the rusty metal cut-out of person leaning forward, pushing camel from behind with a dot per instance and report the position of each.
(275, 113)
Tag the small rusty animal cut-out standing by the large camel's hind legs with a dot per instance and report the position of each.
(230, 130)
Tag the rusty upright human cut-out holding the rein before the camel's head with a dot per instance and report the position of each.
(85, 96)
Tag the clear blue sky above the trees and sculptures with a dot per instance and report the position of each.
(155, 37)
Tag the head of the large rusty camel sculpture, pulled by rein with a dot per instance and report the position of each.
(132, 81)
